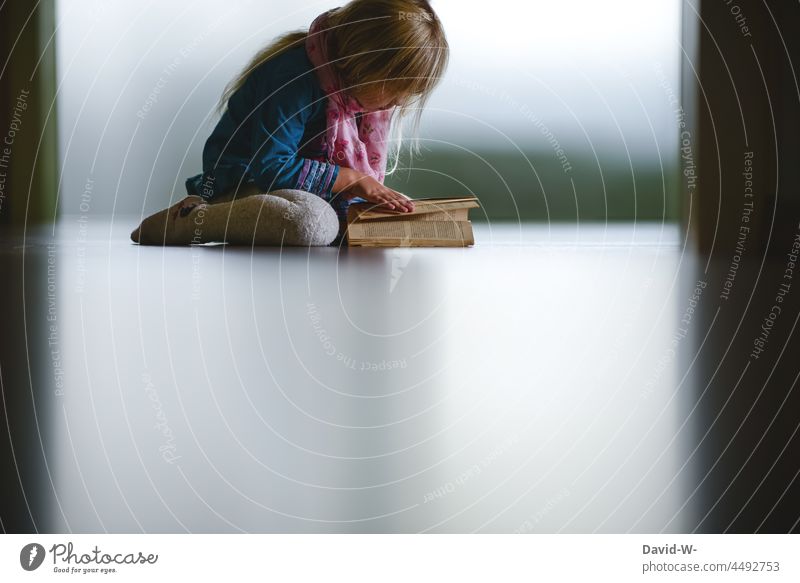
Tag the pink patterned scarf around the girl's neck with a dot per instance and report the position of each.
(363, 146)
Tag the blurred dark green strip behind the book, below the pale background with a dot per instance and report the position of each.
(536, 186)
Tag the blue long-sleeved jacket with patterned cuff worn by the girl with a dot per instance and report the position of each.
(272, 134)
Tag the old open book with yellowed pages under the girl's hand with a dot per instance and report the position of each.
(434, 222)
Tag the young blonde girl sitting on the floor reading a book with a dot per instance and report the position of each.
(308, 121)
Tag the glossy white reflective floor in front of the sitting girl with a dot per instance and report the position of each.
(527, 384)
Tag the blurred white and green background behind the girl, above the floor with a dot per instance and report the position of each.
(558, 111)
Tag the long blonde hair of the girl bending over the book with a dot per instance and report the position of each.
(398, 43)
